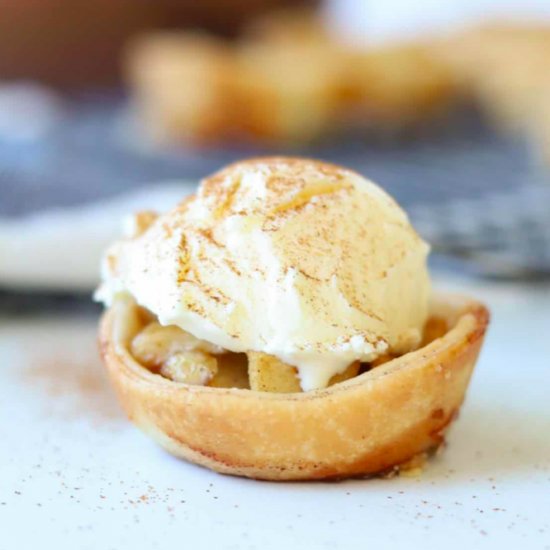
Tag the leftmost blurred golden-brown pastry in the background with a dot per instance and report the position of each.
(184, 86)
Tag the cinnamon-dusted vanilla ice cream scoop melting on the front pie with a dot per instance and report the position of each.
(295, 258)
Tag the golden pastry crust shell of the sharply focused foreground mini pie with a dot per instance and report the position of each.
(363, 426)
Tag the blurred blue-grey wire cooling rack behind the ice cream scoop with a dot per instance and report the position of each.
(477, 197)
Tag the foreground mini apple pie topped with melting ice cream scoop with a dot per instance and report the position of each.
(279, 324)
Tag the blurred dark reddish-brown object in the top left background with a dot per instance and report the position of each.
(78, 42)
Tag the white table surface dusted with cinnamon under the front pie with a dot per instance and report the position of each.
(74, 474)
